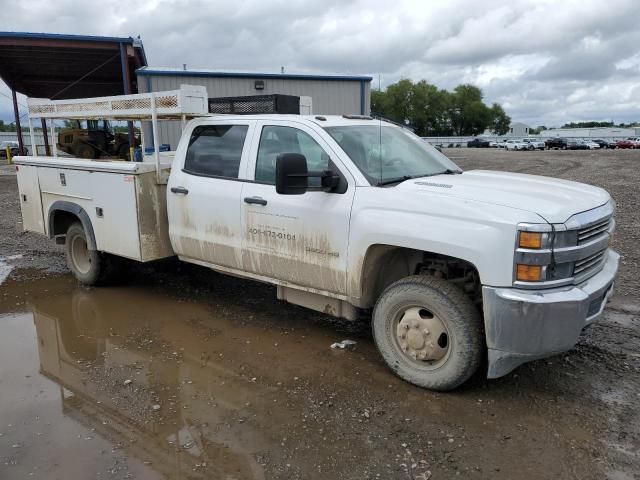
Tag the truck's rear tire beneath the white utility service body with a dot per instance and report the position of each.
(90, 267)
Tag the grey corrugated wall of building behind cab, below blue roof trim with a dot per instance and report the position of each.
(329, 97)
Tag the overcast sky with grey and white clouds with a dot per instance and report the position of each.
(545, 62)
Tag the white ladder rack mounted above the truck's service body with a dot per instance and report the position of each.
(188, 102)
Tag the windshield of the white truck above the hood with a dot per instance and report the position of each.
(384, 153)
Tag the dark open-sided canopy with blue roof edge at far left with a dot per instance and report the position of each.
(58, 67)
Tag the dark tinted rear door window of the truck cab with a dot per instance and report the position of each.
(215, 150)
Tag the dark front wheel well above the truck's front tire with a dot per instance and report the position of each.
(386, 264)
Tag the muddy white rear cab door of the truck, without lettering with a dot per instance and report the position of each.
(203, 193)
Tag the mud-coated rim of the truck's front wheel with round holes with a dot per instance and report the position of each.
(421, 337)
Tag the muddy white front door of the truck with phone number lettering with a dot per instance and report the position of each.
(298, 239)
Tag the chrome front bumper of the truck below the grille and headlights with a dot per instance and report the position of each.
(523, 325)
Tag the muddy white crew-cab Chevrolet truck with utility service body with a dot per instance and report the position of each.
(352, 217)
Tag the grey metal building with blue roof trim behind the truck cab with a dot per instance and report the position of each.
(330, 94)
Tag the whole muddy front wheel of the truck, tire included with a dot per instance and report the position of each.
(434, 301)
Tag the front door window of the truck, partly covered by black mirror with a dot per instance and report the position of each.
(276, 140)
